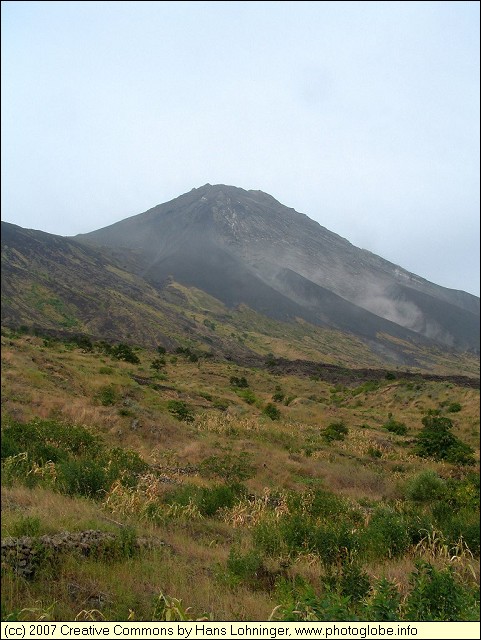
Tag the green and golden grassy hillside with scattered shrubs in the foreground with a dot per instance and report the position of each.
(254, 493)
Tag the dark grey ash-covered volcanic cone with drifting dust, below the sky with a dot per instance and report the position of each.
(246, 247)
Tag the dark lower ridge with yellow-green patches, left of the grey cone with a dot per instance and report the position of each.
(60, 286)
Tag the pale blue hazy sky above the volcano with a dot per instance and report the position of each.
(362, 115)
